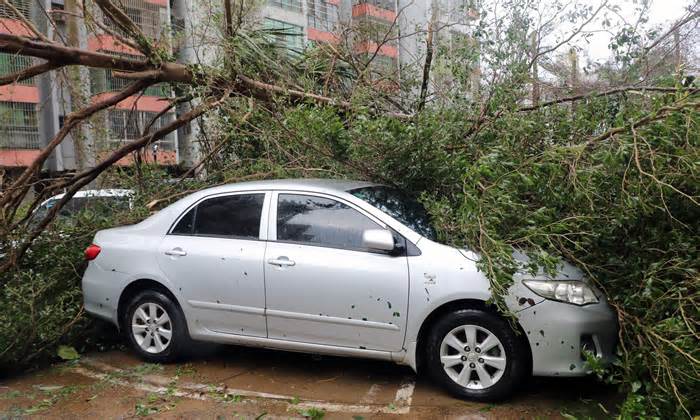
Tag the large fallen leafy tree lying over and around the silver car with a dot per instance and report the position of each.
(603, 175)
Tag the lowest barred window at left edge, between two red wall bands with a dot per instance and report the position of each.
(18, 126)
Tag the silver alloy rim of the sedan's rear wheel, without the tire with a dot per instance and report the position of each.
(151, 328)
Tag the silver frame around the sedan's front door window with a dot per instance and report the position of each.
(272, 222)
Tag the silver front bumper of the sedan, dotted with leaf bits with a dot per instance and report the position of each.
(557, 333)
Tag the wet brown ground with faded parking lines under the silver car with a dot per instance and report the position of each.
(235, 382)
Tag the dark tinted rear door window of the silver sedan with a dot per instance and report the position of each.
(236, 216)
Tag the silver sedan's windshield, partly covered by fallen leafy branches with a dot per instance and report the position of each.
(400, 206)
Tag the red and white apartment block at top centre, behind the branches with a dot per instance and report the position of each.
(390, 34)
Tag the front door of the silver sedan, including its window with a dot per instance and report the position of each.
(322, 286)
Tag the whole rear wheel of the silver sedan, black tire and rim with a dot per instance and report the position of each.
(156, 327)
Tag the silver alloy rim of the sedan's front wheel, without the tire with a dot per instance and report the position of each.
(473, 357)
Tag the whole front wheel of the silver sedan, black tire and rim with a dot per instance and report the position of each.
(493, 373)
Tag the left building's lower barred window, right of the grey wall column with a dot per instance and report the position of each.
(127, 125)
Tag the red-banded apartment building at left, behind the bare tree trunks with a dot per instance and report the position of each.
(32, 111)
